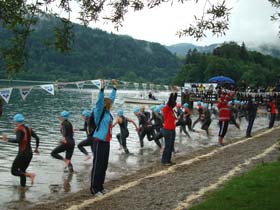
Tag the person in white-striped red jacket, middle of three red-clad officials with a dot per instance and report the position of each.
(224, 117)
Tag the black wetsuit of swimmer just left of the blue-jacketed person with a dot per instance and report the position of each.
(89, 129)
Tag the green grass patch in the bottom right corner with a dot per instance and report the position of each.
(258, 189)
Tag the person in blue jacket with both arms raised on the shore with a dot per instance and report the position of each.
(101, 138)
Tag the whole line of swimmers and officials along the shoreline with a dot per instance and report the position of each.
(157, 124)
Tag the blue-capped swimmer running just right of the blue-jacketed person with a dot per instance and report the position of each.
(124, 133)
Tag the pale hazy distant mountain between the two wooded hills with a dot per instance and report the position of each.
(183, 48)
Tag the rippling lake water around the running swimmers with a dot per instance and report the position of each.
(41, 112)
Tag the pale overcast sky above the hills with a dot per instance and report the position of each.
(249, 22)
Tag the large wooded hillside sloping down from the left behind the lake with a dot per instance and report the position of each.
(94, 54)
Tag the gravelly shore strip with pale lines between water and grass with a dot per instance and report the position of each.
(158, 187)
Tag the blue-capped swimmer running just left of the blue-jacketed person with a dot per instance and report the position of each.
(89, 127)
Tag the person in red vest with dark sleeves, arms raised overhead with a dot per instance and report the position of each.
(169, 126)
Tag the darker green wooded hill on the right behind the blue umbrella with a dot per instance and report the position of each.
(233, 61)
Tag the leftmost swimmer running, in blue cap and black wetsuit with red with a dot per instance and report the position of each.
(25, 154)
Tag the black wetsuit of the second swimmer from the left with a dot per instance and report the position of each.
(67, 132)
